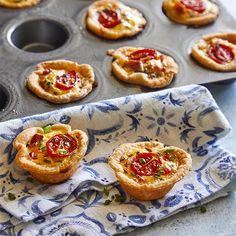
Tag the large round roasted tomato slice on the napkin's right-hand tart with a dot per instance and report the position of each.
(144, 164)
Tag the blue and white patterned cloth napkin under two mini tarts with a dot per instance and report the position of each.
(187, 117)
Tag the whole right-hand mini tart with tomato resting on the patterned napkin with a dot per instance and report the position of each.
(148, 170)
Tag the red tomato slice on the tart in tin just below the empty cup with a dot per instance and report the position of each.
(67, 81)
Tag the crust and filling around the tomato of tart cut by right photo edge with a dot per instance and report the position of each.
(200, 51)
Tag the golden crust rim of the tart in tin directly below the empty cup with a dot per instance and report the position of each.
(88, 77)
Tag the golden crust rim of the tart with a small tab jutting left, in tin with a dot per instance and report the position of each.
(140, 78)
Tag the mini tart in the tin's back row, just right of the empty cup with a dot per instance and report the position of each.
(112, 19)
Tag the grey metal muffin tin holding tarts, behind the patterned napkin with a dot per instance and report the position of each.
(56, 30)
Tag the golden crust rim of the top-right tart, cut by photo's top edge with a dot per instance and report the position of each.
(200, 20)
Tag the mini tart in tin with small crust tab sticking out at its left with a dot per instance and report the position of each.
(143, 66)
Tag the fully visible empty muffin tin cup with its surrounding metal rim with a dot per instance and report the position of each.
(40, 37)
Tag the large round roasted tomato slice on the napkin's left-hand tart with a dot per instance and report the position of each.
(61, 145)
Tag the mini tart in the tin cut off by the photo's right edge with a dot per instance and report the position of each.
(216, 51)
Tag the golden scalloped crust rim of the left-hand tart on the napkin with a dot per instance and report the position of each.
(49, 174)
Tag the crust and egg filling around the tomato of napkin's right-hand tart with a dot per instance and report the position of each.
(149, 187)
